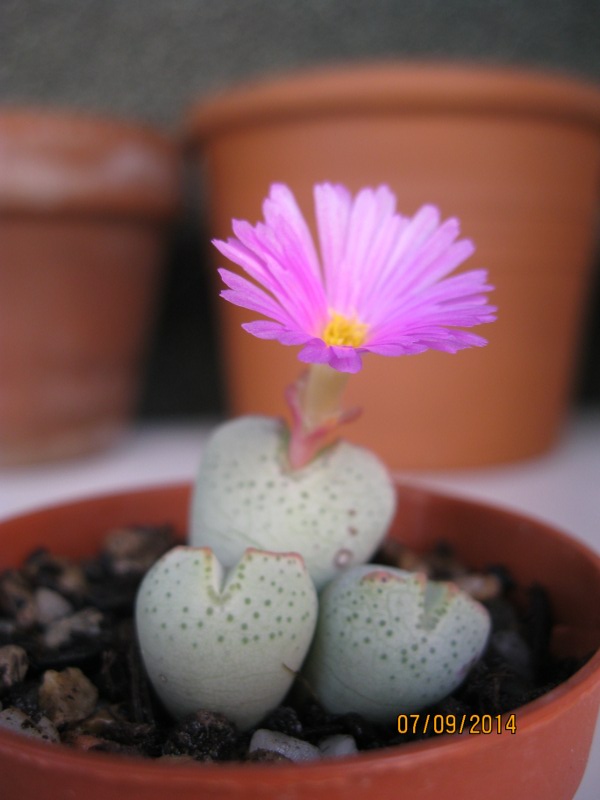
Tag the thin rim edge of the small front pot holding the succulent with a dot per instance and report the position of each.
(137, 771)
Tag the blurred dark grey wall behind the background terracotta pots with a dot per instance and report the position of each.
(149, 59)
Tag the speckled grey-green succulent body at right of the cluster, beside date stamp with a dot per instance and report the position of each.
(390, 641)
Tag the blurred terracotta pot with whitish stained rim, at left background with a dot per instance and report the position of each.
(83, 208)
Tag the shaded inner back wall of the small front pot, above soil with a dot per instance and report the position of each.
(481, 535)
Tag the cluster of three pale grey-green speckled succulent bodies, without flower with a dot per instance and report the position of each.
(227, 622)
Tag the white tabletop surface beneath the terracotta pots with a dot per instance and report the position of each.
(562, 487)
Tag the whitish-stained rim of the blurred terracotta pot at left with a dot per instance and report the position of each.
(56, 160)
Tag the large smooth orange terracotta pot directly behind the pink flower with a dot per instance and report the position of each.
(514, 155)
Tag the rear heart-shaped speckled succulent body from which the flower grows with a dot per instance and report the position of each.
(334, 512)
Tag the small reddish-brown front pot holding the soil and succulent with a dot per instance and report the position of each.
(545, 758)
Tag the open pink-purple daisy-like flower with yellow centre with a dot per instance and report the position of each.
(378, 283)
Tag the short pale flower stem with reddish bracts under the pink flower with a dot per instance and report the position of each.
(315, 400)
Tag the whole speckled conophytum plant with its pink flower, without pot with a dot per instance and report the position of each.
(281, 512)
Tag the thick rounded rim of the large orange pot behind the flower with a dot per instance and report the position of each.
(400, 87)
